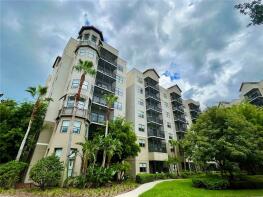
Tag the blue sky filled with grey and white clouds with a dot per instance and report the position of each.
(203, 46)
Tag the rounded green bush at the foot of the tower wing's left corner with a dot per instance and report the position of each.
(47, 172)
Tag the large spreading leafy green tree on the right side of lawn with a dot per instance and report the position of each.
(231, 137)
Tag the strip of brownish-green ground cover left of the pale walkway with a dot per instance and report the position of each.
(106, 191)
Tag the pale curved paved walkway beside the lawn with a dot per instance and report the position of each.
(142, 188)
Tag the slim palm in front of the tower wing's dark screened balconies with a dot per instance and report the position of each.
(110, 99)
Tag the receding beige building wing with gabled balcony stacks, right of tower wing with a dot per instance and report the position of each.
(158, 115)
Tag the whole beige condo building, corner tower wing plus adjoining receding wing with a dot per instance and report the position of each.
(158, 114)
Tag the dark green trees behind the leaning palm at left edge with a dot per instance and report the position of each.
(13, 124)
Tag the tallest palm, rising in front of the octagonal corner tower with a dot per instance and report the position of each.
(85, 67)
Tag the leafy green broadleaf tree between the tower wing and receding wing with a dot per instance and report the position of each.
(123, 131)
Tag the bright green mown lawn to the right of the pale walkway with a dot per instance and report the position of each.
(183, 188)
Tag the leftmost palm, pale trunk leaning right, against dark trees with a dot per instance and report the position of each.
(37, 93)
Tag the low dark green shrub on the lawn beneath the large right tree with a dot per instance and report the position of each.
(213, 183)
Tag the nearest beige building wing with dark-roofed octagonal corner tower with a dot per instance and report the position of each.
(63, 84)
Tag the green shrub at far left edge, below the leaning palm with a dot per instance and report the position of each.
(10, 173)
